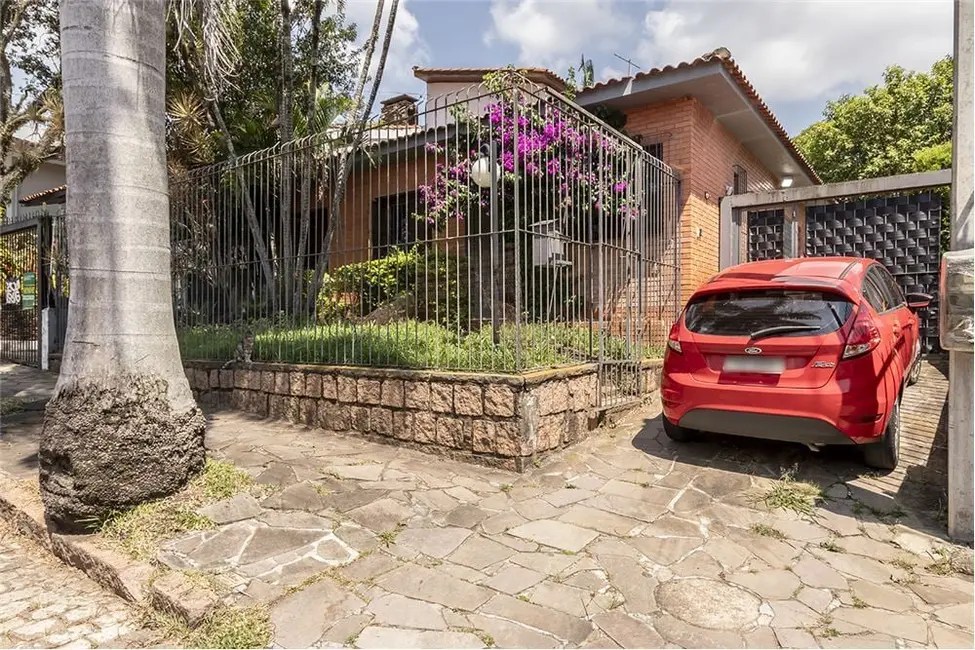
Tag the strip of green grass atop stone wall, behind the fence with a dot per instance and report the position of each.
(409, 344)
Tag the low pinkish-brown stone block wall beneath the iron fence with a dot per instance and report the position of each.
(499, 420)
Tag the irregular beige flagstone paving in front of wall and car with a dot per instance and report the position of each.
(624, 540)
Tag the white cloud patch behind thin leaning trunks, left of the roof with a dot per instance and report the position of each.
(407, 47)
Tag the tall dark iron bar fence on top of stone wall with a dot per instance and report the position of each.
(499, 228)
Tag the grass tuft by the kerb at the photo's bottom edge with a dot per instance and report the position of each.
(225, 627)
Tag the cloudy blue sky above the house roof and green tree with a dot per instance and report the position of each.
(797, 53)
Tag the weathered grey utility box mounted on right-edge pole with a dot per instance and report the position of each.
(957, 322)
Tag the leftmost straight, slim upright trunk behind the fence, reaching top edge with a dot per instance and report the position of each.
(285, 134)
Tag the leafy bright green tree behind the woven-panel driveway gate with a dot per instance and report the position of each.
(901, 126)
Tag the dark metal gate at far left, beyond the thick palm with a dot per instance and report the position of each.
(33, 262)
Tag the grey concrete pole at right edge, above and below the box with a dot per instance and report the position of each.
(960, 366)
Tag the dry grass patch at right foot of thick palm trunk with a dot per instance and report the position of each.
(140, 530)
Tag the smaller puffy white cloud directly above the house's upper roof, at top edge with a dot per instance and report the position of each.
(552, 33)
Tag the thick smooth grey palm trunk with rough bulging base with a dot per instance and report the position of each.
(122, 427)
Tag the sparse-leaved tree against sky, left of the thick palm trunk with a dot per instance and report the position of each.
(29, 46)
